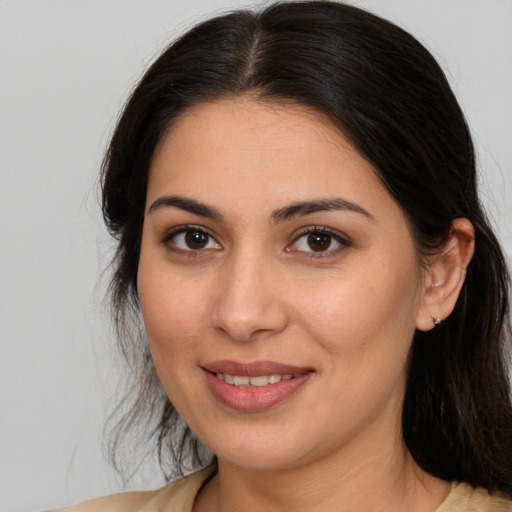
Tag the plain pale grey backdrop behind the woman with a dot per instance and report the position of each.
(65, 70)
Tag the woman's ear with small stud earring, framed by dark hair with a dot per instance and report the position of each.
(445, 275)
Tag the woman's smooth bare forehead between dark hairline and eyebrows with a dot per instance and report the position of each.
(238, 149)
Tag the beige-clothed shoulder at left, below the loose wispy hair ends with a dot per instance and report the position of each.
(178, 496)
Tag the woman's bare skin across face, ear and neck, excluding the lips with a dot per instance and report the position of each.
(258, 291)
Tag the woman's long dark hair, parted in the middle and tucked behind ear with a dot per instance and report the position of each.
(387, 94)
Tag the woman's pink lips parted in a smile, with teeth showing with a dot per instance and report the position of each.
(254, 386)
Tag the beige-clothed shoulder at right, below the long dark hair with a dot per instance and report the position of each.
(464, 498)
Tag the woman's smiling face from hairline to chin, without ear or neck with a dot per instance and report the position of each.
(279, 286)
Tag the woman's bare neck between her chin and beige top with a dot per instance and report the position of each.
(361, 481)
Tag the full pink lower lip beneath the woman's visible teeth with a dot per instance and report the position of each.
(253, 399)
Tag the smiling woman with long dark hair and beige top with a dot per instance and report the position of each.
(294, 197)
